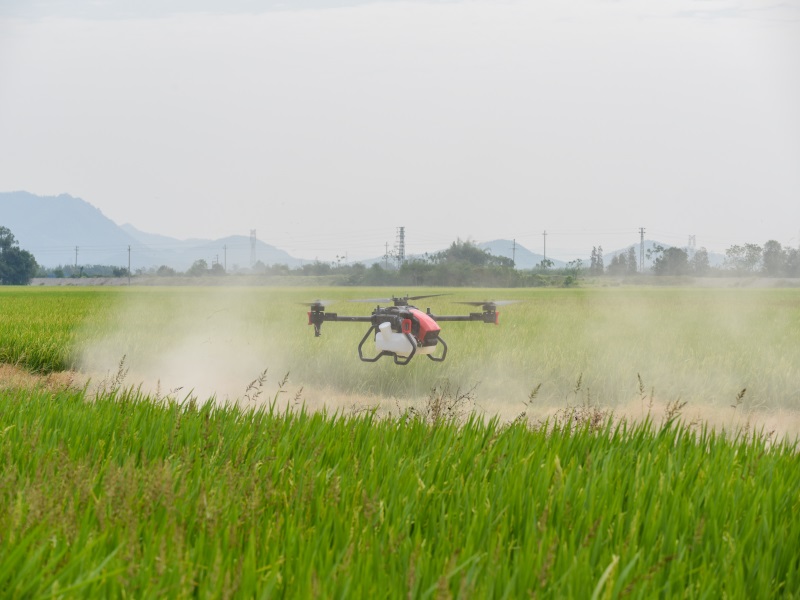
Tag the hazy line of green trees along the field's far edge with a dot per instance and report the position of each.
(462, 264)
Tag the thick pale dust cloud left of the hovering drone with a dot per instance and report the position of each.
(197, 342)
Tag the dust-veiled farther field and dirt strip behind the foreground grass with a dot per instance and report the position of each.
(620, 349)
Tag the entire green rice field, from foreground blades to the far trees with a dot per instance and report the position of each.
(550, 456)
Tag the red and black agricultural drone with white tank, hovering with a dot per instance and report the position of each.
(401, 330)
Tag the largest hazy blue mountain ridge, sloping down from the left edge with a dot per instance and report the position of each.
(63, 230)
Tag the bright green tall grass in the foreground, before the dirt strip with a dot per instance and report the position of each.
(126, 496)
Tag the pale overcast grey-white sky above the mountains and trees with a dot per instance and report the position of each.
(325, 125)
